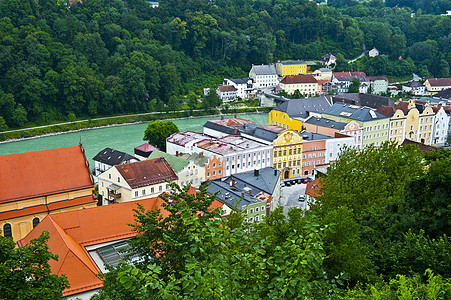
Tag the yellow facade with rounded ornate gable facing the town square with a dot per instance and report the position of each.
(287, 155)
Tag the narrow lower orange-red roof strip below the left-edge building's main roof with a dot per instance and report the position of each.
(43, 208)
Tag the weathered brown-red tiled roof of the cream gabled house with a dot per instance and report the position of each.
(146, 172)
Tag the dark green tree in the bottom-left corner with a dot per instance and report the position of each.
(25, 272)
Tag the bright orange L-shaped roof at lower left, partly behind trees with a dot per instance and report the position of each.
(70, 232)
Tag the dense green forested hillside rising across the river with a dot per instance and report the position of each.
(100, 57)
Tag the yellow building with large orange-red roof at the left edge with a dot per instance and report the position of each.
(36, 184)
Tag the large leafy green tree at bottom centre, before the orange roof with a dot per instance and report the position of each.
(204, 256)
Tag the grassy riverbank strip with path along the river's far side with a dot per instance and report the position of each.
(82, 125)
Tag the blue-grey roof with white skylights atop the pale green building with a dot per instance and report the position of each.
(353, 112)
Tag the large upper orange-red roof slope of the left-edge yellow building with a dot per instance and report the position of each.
(41, 173)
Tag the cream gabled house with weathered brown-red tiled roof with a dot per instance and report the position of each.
(135, 181)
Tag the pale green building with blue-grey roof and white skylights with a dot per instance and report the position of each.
(374, 125)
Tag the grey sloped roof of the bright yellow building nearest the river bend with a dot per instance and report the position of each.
(300, 108)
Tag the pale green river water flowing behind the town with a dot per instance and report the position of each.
(123, 138)
